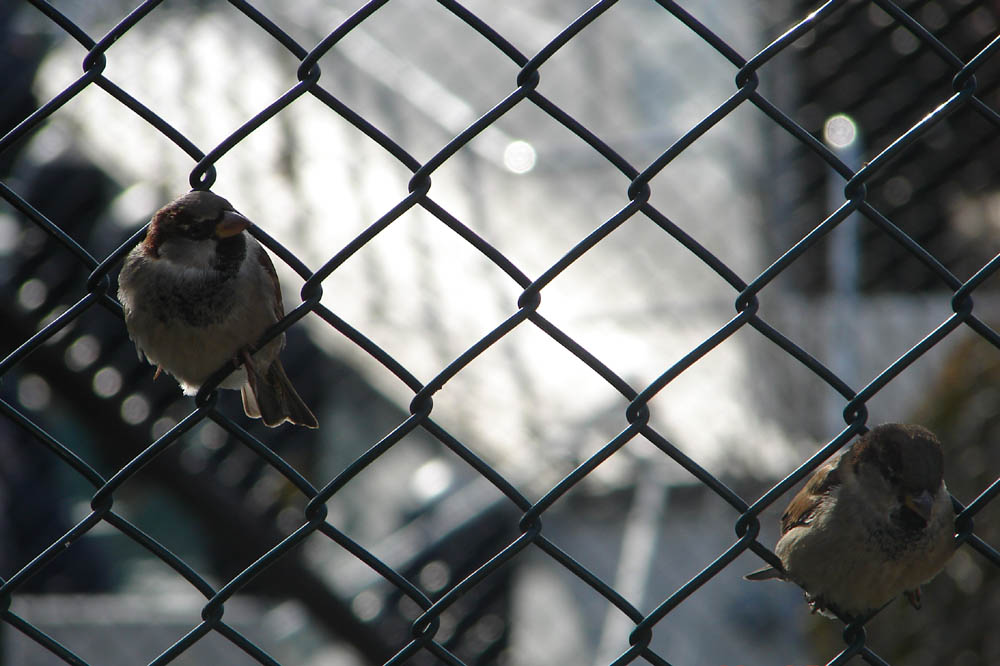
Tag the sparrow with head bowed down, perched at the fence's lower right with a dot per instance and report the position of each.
(875, 522)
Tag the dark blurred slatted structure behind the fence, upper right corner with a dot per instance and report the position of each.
(862, 62)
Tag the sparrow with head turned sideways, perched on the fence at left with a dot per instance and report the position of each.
(199, 291)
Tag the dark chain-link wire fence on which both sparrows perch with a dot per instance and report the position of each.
(98, 292)
